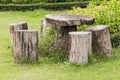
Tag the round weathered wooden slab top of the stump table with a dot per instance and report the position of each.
(68, 19)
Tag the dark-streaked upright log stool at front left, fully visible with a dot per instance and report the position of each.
(25, 44)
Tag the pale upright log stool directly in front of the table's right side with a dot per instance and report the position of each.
(79, 47)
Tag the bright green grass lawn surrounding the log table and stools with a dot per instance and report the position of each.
(98, 69)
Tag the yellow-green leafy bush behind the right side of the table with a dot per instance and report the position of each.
(104, 12)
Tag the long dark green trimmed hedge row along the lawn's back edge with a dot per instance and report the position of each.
(47, 6)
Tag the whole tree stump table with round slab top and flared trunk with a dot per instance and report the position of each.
(66, 23)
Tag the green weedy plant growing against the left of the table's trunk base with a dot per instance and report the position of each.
(45, 44)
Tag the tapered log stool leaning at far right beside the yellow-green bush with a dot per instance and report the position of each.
(101, 43)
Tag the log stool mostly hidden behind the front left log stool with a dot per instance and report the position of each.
(17, 26)
